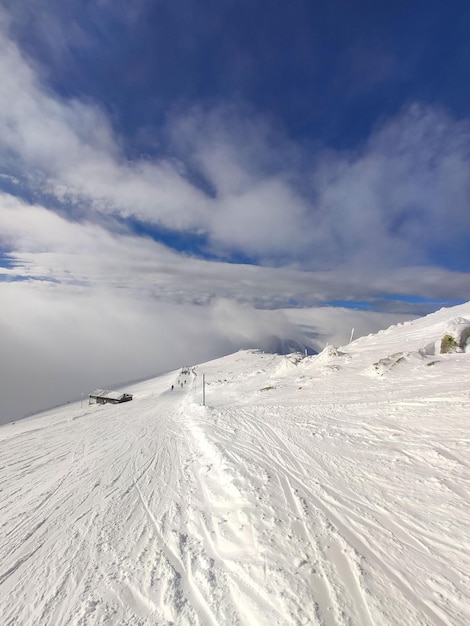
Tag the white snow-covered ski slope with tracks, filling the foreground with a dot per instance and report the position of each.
(327, 490)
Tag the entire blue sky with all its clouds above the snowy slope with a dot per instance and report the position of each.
(221, 160)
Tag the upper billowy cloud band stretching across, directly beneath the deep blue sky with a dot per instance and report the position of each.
(387, 203)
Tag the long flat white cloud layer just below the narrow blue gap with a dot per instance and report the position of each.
(47, 246)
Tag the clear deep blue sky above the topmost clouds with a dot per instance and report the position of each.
(327, 72)
